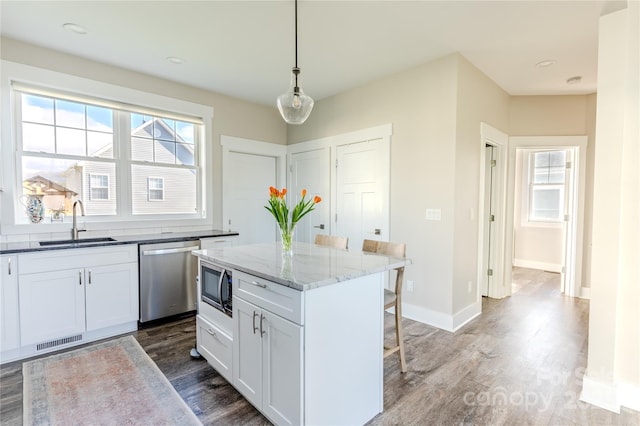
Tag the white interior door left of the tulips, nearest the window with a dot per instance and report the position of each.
(247, 180)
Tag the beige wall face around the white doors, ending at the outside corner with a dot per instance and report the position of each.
(421, 105)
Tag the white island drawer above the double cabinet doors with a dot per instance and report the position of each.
(276, 298)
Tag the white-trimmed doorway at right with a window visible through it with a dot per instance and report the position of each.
(545, 206)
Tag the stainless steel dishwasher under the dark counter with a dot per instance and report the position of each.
(167, 279)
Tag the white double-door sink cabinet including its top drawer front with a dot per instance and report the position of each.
(65, 295)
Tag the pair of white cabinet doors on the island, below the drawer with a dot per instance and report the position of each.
(267, 365)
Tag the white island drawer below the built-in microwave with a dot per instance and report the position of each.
(215, 346)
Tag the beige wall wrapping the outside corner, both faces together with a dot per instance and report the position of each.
(436, 110)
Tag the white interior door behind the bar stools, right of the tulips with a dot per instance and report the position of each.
(362, 191)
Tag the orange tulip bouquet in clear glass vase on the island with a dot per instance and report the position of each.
(288, 220)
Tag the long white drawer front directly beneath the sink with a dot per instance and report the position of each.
(57, 260)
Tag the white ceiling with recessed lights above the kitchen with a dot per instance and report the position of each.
(245, 48)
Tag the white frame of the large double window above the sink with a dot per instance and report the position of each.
(13, 221)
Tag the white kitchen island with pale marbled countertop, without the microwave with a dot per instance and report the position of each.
(307, 331)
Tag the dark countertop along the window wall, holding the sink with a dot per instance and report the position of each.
(163, 237)
